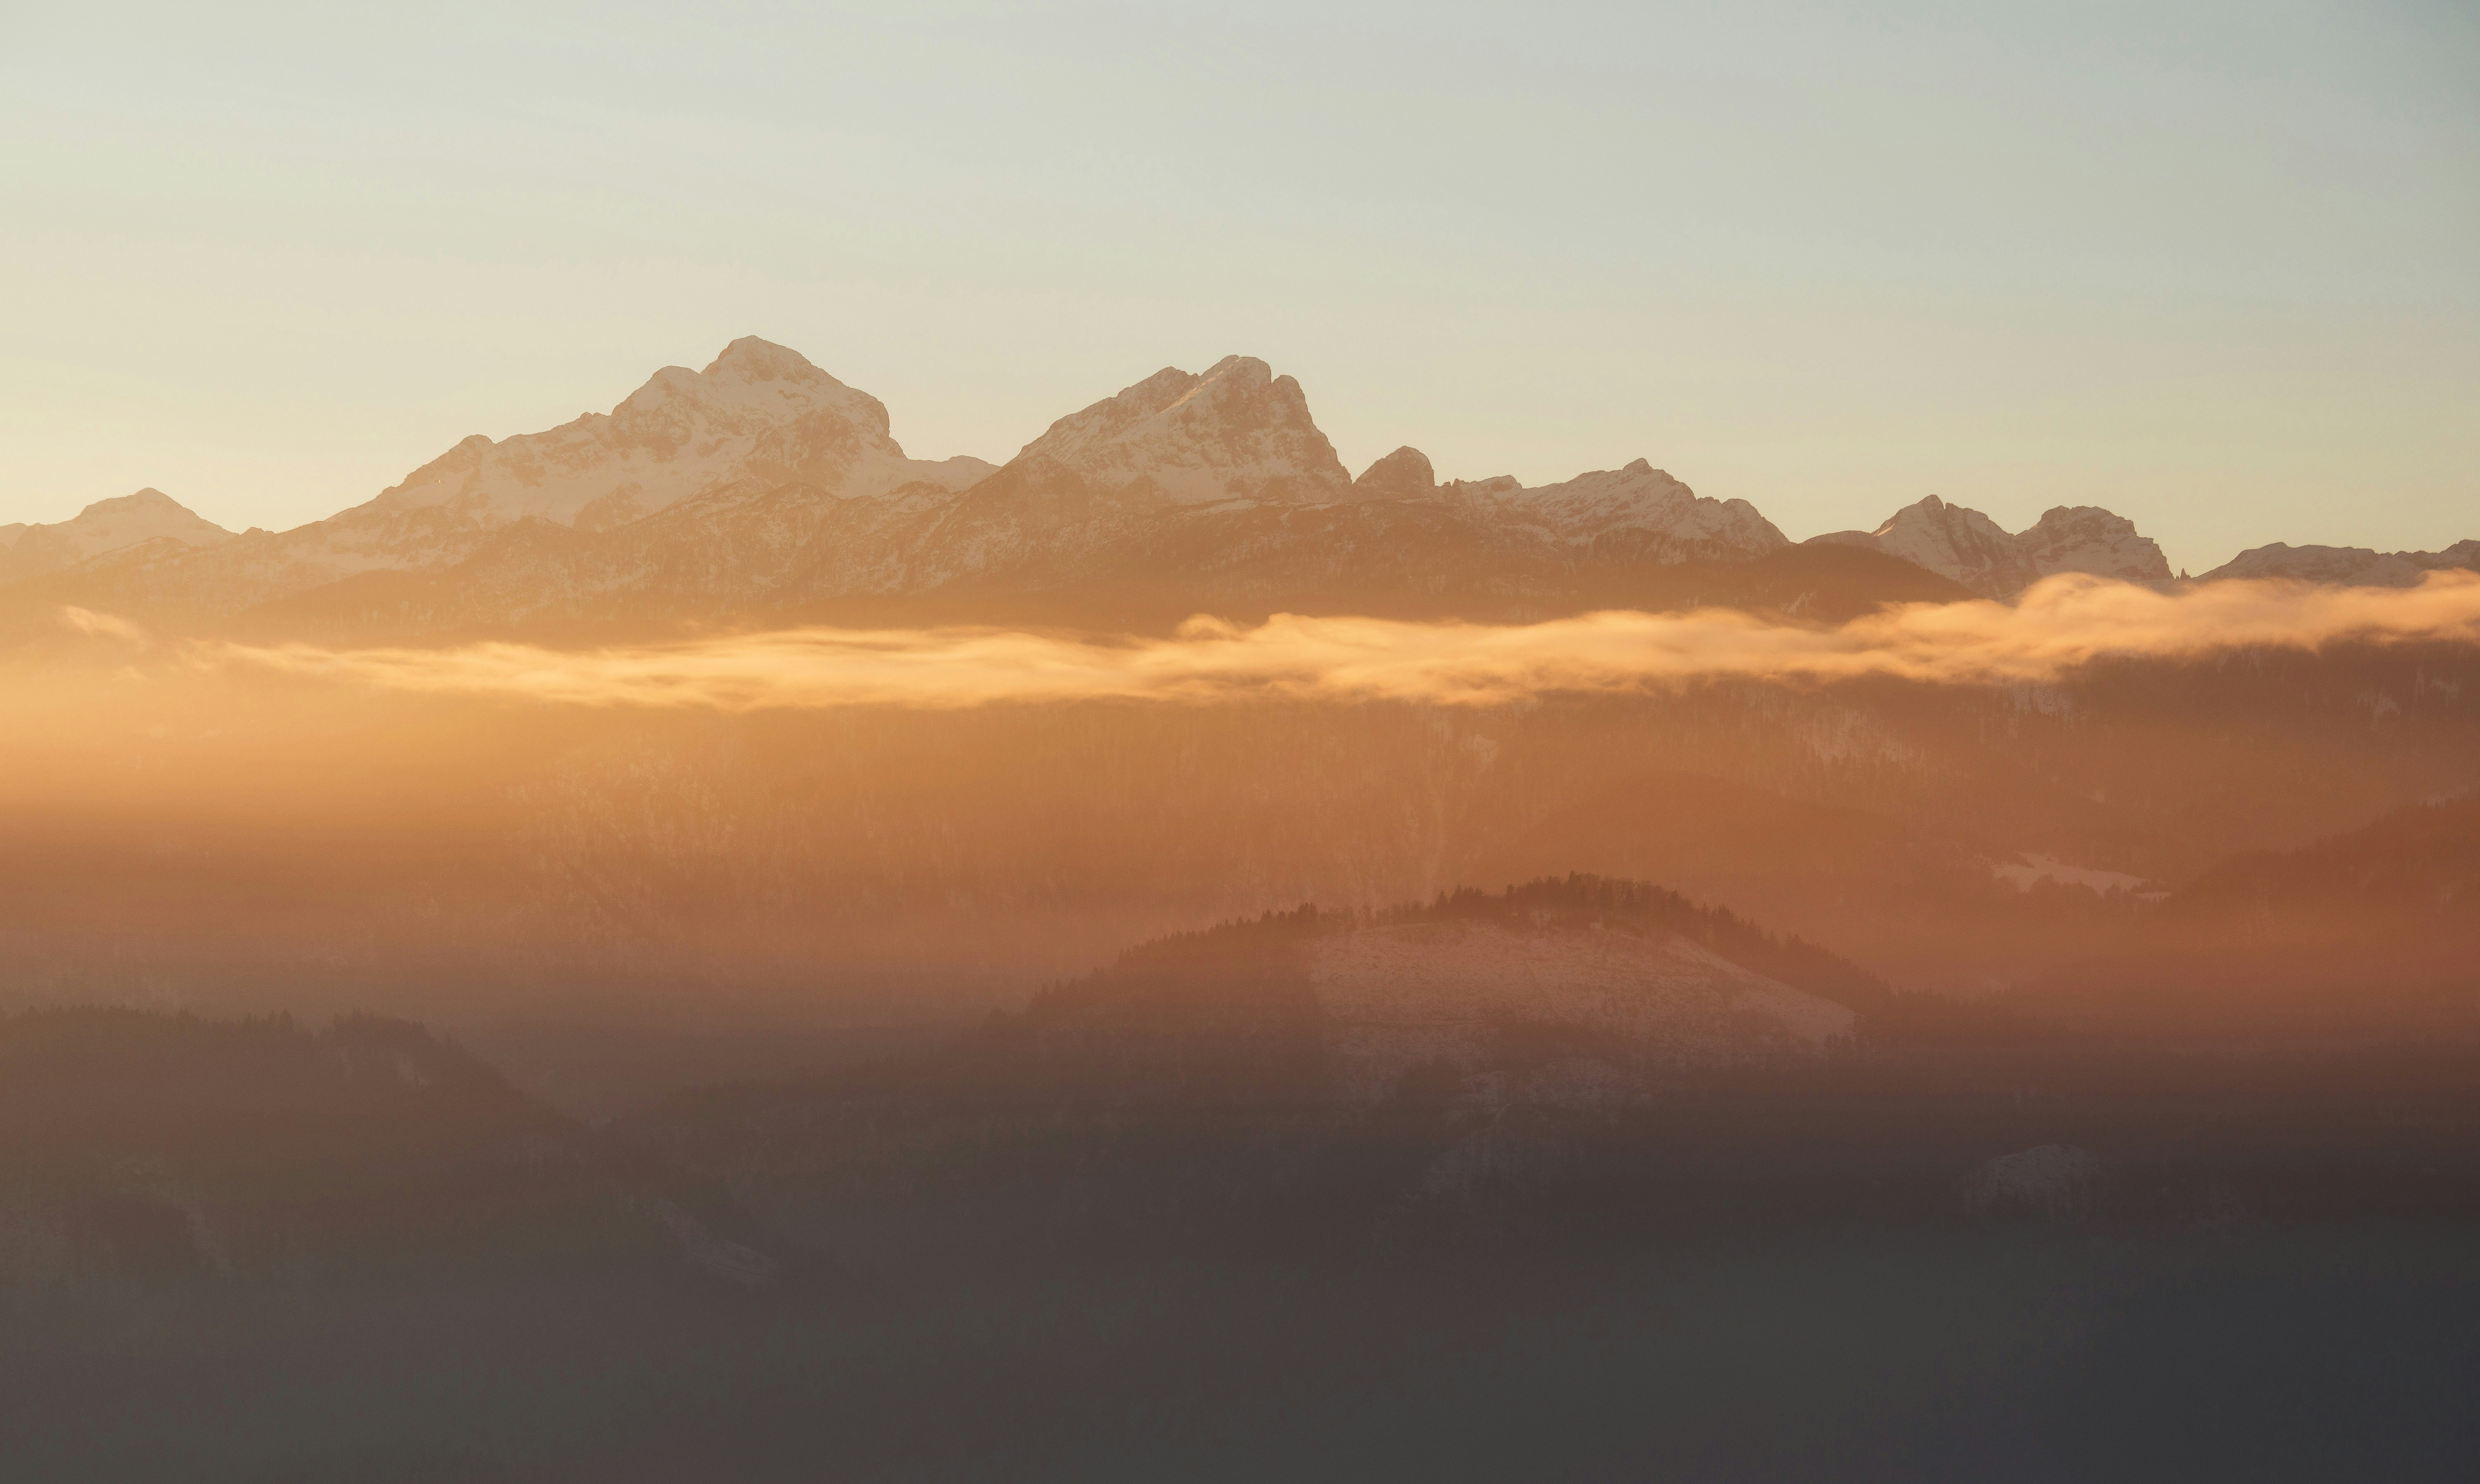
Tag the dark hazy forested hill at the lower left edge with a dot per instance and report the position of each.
(148, 1145)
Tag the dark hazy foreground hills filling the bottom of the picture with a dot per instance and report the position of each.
(1202, 1217)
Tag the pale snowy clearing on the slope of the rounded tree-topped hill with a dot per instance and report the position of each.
(1603, 1001)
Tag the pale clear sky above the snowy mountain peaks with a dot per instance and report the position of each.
(2213, 267)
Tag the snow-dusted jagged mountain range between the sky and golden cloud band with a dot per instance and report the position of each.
(765, 485)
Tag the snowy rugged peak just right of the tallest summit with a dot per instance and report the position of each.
(1234, 433)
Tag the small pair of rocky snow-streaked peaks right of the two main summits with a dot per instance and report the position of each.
(1985, 557)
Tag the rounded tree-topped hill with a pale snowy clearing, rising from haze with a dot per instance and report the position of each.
(1566, 991)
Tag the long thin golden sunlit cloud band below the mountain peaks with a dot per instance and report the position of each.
(2055, 629)
